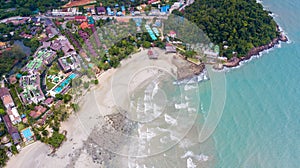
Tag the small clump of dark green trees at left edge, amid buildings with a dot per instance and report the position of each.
(9, 58)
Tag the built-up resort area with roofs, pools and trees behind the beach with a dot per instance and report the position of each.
(68, 51)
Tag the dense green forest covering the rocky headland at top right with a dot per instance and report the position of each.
(238, 24)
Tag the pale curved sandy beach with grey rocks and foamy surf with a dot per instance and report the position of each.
(100, 134)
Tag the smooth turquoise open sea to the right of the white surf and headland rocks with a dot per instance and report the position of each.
(260, 125)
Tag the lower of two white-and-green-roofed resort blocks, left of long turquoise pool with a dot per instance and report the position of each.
(32, 92)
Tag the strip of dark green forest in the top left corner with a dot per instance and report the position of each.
(26, 7)
